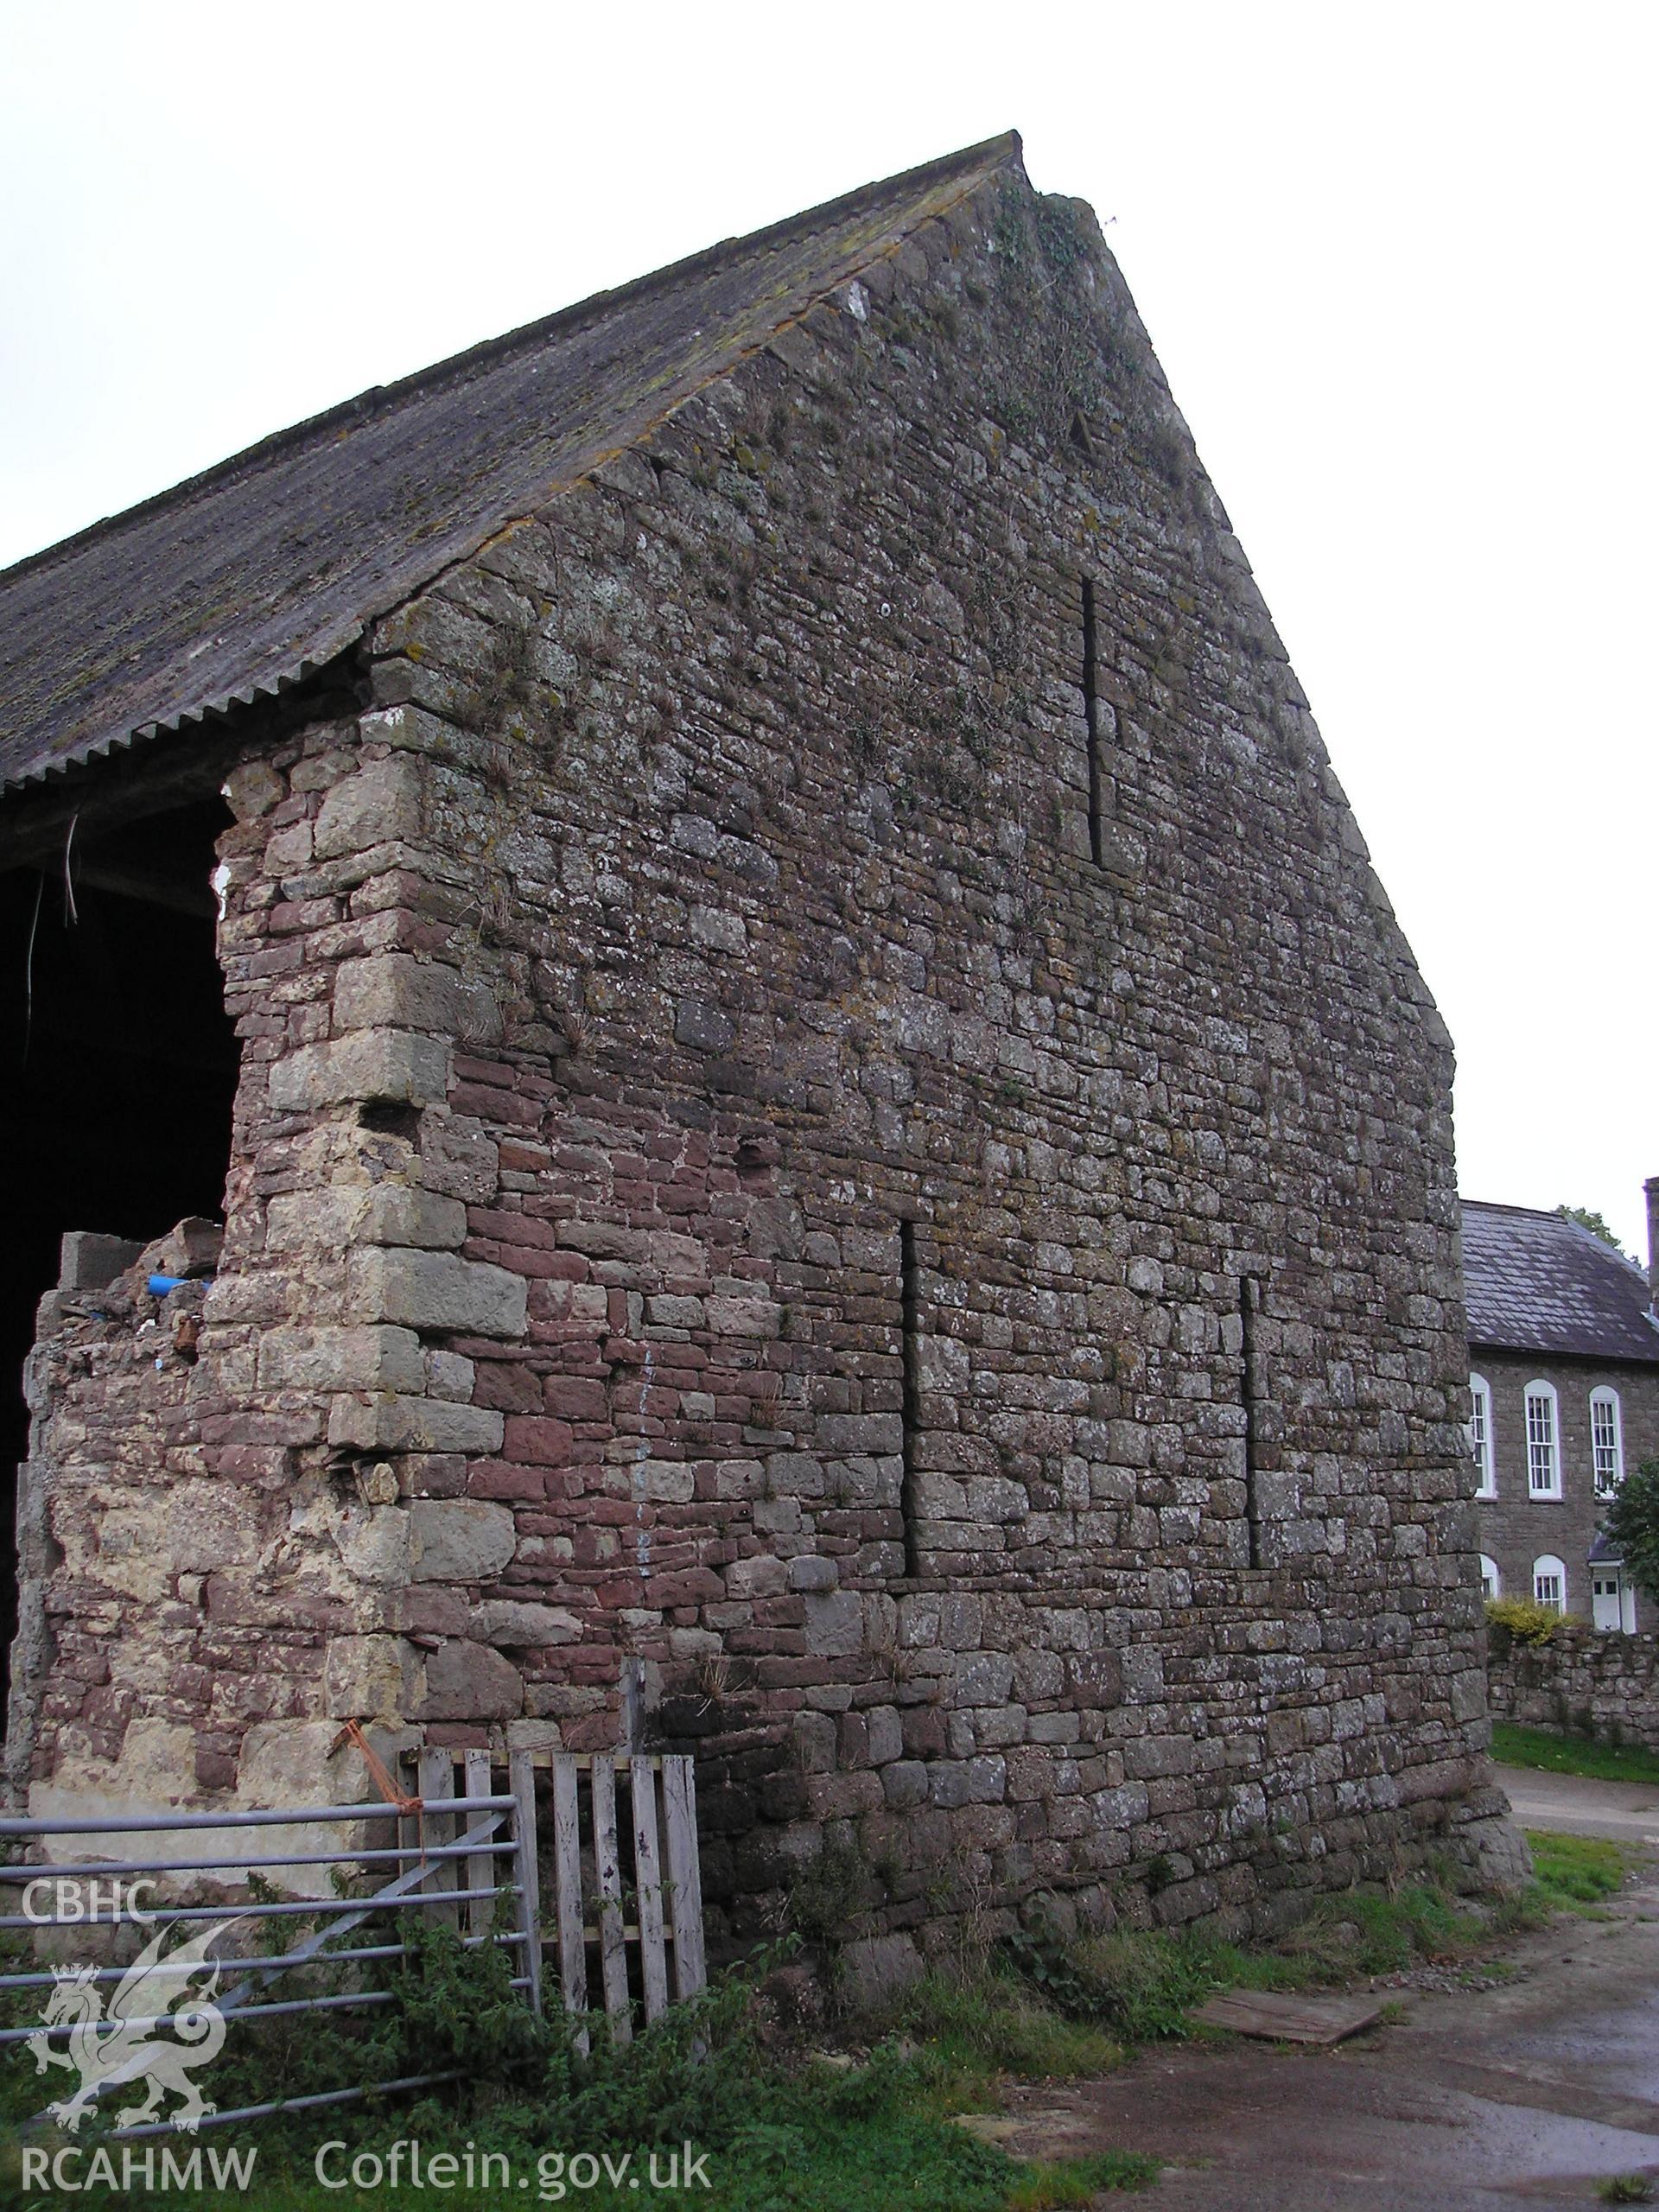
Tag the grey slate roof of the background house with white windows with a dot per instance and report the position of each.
(1541, 1284)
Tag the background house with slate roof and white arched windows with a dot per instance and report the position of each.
(1565, 1399)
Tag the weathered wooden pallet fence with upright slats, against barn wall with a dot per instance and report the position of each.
(623, 1872)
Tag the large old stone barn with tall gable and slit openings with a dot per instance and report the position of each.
(828, 1149)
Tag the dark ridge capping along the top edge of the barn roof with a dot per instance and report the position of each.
(988, 154)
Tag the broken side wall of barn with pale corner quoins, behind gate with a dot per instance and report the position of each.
(240, 1543)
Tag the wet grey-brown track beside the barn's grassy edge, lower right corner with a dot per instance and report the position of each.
(1516, 2096)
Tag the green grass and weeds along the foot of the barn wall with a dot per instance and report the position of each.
(784, 2133)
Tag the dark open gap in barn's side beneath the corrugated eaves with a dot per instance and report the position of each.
(118, 1072)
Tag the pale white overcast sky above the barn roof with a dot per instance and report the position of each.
(1397, 264)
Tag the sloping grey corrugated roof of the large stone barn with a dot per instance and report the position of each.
(247, 578)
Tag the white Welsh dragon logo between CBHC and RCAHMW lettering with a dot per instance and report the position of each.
(118, 2045)
